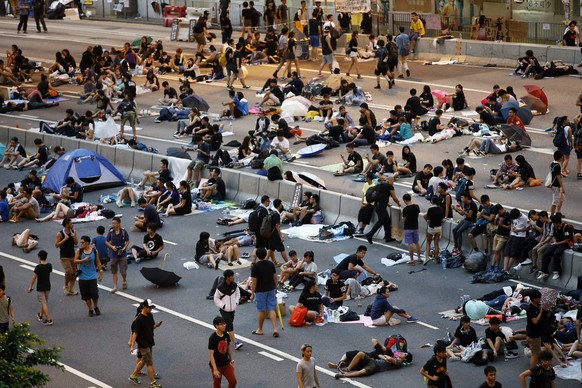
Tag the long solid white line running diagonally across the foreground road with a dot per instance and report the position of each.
(199, 323)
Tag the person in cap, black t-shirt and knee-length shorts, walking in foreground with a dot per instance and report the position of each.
(143, 333)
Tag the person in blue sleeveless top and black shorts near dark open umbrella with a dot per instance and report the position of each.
(89, 265)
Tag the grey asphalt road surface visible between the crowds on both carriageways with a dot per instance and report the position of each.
(97, 347)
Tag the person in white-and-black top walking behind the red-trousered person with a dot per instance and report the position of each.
(227, 298)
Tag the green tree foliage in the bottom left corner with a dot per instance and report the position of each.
(20, 352)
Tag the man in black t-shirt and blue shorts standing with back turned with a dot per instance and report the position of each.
(264, 292)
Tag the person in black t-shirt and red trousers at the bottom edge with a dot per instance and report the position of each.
(220, 355)
